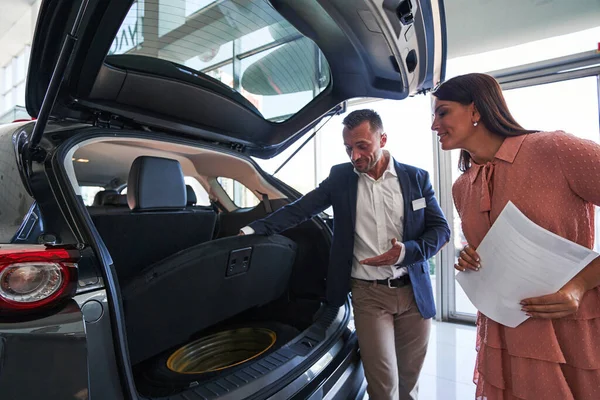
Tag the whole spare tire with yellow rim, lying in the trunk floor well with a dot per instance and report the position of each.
(213, 354)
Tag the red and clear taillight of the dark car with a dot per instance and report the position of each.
(32, 277)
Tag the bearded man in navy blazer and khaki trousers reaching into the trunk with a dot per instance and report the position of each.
(377, 203)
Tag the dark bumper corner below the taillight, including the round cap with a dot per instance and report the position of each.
(65, 355)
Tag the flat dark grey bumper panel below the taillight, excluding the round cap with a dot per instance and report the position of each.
(45, 358)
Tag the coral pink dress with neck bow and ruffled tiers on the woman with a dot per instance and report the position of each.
(554, 179)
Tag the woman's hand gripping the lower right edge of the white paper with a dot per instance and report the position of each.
(557, 305)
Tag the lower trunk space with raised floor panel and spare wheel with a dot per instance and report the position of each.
(199, 329)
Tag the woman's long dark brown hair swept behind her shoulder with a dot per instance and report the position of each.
(485, 93)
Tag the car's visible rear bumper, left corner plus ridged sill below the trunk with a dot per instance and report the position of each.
(70, 355)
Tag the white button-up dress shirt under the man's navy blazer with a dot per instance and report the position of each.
(379, 219)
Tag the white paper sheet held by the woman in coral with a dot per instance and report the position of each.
(519, 259)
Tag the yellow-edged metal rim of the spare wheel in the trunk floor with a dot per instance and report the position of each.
(221, 350)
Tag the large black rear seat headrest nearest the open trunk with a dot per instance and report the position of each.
(156, 183)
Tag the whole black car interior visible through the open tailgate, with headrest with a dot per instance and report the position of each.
(184, 273)
